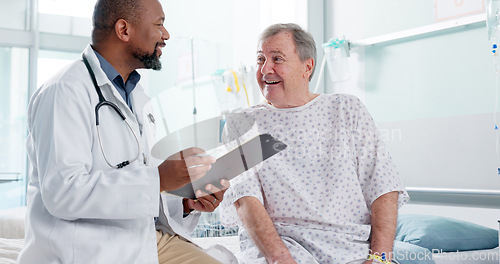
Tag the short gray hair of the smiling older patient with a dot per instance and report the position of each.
(304, 42)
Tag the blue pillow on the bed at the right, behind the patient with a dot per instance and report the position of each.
(446, 234)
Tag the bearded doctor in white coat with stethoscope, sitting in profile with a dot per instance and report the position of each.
(94, 191)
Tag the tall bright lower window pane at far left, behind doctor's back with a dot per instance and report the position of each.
(13, 102)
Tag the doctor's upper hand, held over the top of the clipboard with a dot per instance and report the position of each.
(183, 167)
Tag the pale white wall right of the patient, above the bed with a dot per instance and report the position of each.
(437, 92)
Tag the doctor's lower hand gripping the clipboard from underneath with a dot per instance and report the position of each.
(207, 202)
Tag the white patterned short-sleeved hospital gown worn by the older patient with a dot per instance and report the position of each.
(319, 190)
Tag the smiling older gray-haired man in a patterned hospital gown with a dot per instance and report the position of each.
(332, 195)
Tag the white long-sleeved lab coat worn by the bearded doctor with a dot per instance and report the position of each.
(80, 210)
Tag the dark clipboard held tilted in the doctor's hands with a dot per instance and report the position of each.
(232, 164)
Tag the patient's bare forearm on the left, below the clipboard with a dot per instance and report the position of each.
(261, 229)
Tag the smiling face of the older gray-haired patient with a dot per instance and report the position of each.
(283, 78)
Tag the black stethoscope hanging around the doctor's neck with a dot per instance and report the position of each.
(104, 102)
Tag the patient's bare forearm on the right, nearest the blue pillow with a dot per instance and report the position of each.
(384, 220)
